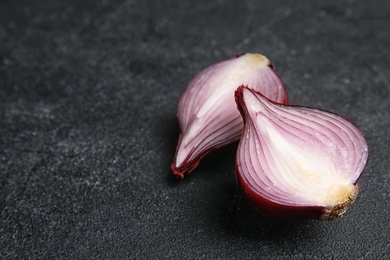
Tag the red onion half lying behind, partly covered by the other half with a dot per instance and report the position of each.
(207, 113)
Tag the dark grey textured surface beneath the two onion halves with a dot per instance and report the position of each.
(88, 96)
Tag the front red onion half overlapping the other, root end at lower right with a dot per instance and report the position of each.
(297, 162)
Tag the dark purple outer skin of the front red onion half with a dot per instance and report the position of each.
(281, 211)
